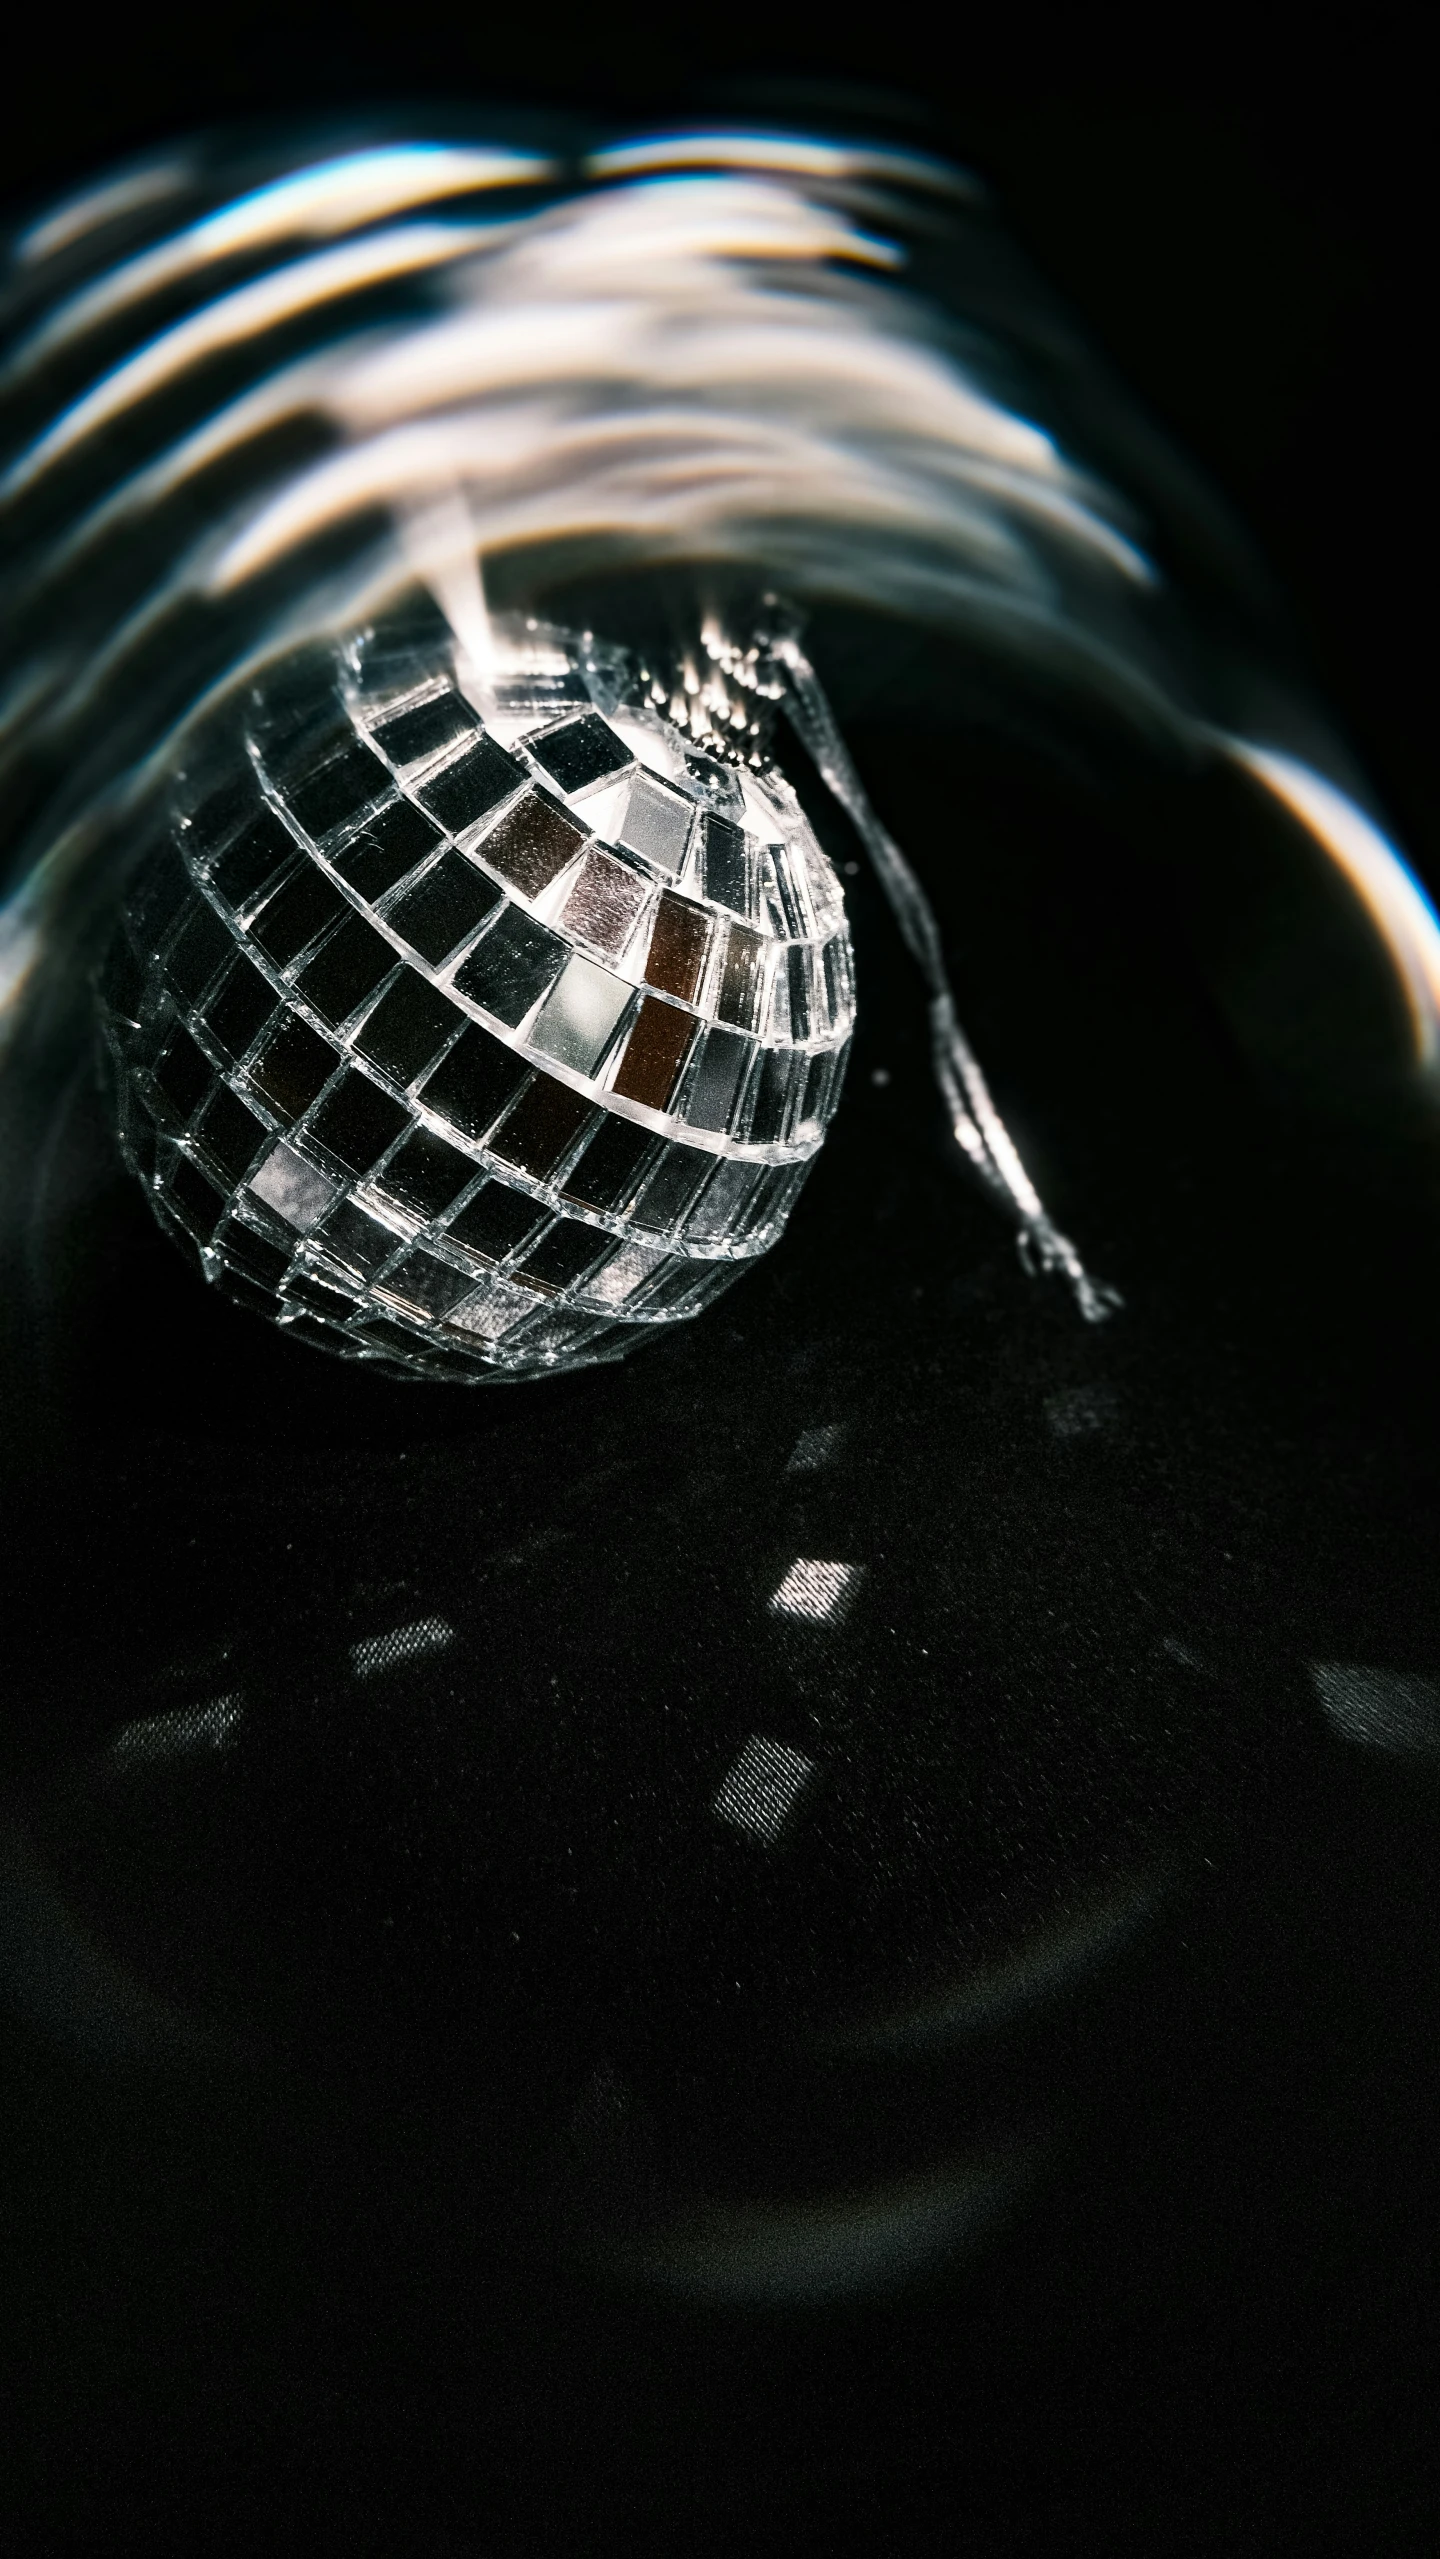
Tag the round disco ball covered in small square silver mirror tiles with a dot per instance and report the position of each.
(474, 1043)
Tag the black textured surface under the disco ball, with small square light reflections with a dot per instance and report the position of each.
(441, 2118)
